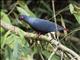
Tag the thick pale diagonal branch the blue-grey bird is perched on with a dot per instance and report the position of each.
(42, 37)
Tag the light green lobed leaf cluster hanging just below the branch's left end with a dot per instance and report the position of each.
(10, 37)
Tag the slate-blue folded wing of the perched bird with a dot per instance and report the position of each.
(43, 25)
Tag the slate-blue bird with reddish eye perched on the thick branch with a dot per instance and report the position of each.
(41, 25)
